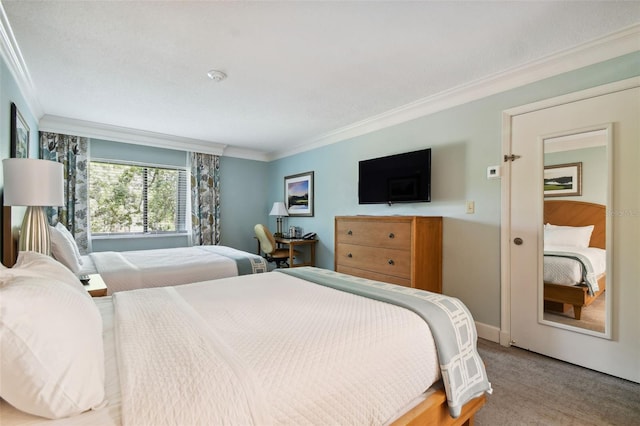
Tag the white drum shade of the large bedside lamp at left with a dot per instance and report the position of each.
(32, 182)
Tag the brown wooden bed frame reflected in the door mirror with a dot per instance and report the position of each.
(561, 298)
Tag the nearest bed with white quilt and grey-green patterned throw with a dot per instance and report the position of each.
(300, 346)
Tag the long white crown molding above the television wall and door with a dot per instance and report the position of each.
(611, 46)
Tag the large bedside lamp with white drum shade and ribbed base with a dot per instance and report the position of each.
(35, 184)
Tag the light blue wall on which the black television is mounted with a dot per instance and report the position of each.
(465, 140)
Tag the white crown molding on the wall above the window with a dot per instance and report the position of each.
(89, 129)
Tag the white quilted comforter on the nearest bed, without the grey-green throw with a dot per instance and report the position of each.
(267, 349)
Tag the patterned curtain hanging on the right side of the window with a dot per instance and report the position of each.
(205, 199)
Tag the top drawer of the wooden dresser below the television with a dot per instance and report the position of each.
(395, 235)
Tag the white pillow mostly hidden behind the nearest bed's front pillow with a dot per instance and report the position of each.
(32, 264)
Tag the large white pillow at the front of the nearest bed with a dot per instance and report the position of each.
(51, 348)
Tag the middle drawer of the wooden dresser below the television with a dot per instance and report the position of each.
(385, 261)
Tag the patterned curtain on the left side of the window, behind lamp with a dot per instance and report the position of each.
(71, 151)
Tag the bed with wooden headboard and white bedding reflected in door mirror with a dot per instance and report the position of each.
(571, 296)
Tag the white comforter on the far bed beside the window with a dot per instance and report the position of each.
(163, 267)
